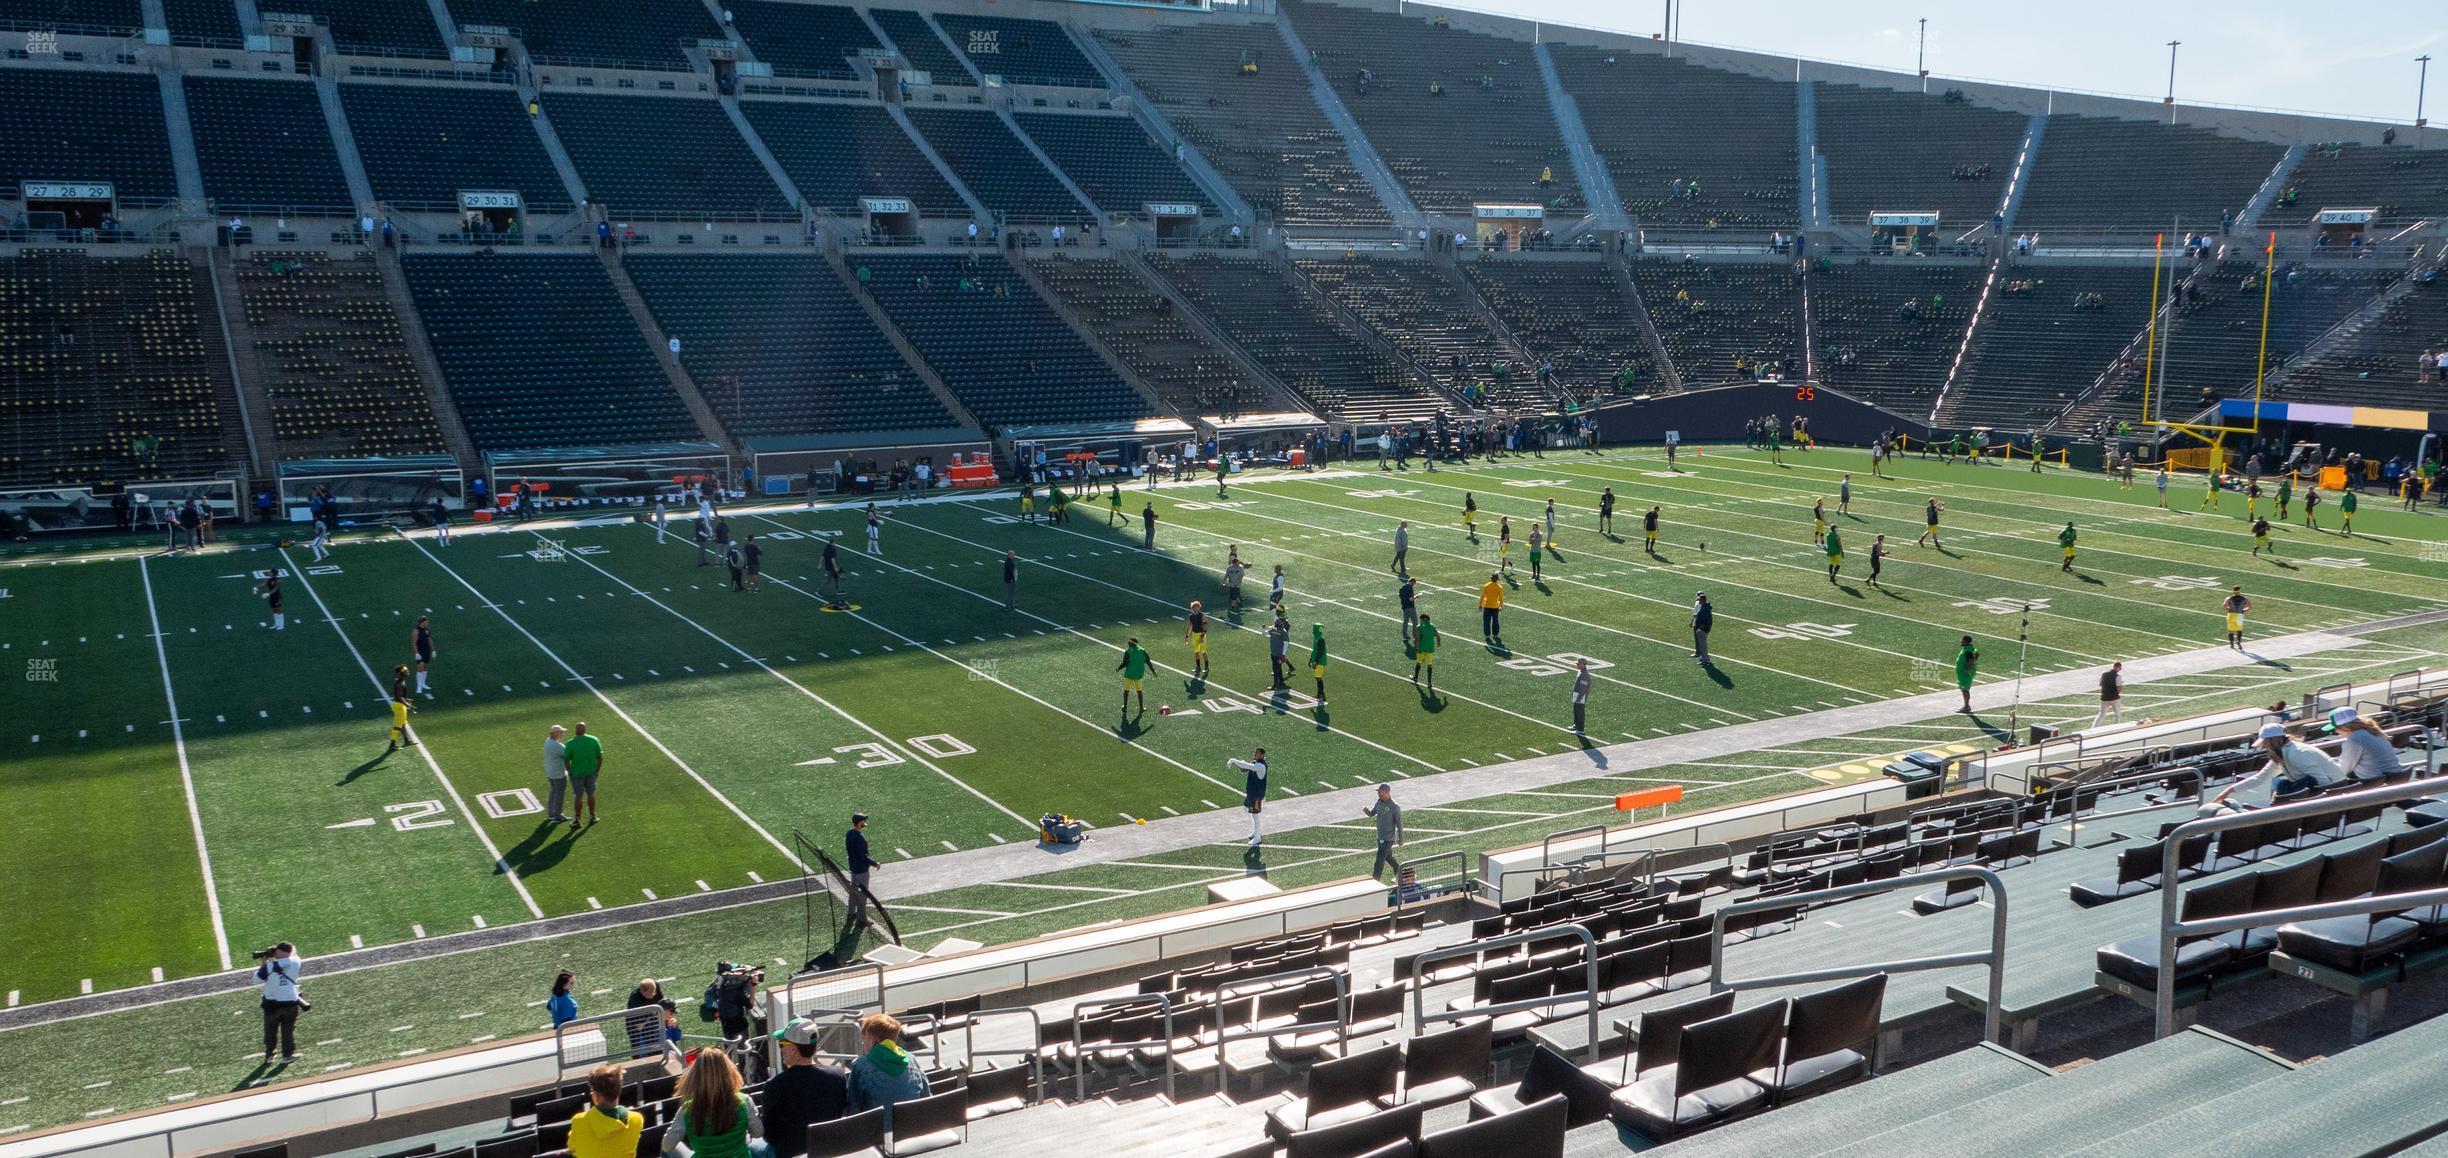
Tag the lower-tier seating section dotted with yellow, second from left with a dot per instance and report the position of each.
(334, 359)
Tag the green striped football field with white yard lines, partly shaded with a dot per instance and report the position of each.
(187, 785)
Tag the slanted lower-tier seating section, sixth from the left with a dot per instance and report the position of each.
(1149, 334)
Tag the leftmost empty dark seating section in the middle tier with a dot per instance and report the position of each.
(70, 126)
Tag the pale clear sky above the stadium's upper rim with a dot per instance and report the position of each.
(2319, 58)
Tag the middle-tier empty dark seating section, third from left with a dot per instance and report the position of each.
(422, 146)
